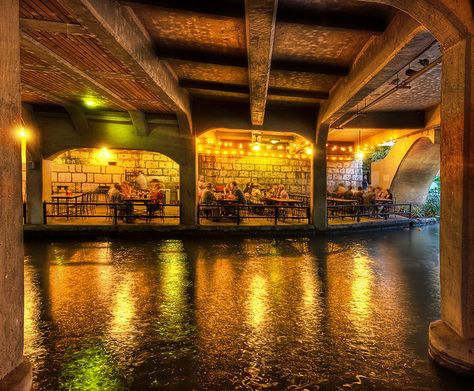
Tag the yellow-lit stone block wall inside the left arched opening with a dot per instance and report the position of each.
(85, 169)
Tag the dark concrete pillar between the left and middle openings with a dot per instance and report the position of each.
(188, 183)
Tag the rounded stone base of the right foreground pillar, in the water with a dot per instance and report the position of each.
(450, 350)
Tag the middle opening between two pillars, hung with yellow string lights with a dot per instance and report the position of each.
(264, 164)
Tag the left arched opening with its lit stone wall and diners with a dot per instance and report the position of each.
(78, 186)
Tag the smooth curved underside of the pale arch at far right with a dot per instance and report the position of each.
(416, 172)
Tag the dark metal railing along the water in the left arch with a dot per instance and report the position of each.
(111, 212)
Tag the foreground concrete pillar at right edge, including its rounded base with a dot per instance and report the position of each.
(451, 339)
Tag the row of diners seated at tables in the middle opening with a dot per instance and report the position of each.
(250, 195)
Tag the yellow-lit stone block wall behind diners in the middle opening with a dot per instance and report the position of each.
(295, 174)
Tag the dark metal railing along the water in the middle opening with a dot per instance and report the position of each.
(245, 213)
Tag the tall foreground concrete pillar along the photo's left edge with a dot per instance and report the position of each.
(14, 375)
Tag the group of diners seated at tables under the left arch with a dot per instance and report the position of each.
(124, 194)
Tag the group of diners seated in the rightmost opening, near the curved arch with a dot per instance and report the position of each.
(370, 196)
